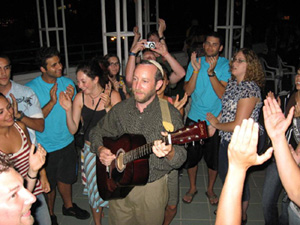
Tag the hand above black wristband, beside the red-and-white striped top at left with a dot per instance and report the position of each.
(37, 159)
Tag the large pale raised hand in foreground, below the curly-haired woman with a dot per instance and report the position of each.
(242, 149)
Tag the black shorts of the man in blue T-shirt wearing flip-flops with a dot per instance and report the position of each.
(209, 149)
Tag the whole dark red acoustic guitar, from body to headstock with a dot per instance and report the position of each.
(131, 166)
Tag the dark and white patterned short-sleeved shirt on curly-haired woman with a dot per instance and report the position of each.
(233, 93)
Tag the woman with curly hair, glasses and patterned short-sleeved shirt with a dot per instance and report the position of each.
(241, 100)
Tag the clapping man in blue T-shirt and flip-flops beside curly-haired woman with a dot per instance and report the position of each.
(205, 82)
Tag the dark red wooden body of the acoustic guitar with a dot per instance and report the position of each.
(115, 183)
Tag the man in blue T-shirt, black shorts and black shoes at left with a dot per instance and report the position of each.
(61, 165)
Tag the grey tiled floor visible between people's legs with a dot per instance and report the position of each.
(198, 212)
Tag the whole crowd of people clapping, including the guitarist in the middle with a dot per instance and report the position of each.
(38, 121)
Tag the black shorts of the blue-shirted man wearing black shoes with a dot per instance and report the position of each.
(61, 165)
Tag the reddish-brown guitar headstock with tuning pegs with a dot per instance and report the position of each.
(194, 132)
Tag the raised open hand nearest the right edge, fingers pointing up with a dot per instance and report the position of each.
(275, 122)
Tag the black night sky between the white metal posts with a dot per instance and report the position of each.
(85, 25)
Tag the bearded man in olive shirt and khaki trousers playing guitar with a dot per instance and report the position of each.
(144, 204)
